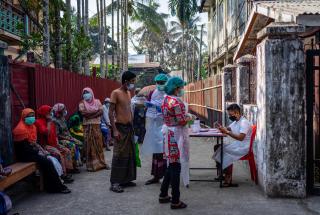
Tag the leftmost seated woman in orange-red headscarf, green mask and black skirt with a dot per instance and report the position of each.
(27, 150)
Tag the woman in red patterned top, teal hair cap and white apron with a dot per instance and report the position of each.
(176, 140)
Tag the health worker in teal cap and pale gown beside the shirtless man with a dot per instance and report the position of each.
(153, 141)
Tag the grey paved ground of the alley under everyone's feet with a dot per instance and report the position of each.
(91, 195)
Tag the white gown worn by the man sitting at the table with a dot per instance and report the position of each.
(234, 150)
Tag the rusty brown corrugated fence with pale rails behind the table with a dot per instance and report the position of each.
(205, 99)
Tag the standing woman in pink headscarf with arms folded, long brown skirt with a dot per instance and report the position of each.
(92, 110)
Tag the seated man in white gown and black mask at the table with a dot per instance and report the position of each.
(239, 132)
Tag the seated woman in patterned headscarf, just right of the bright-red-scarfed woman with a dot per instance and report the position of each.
(58, 117)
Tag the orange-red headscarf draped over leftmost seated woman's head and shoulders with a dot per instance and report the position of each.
(23, 131)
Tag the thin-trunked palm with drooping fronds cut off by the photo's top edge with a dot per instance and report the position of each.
(184, 10)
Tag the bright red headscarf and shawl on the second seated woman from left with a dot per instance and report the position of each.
(46, 137)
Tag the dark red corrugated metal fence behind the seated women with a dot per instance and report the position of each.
(37, 85)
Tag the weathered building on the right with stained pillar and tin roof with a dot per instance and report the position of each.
(268, 54)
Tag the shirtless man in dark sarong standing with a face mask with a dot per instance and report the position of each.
(123, 170)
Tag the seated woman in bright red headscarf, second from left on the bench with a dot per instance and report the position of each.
(48, 139)
